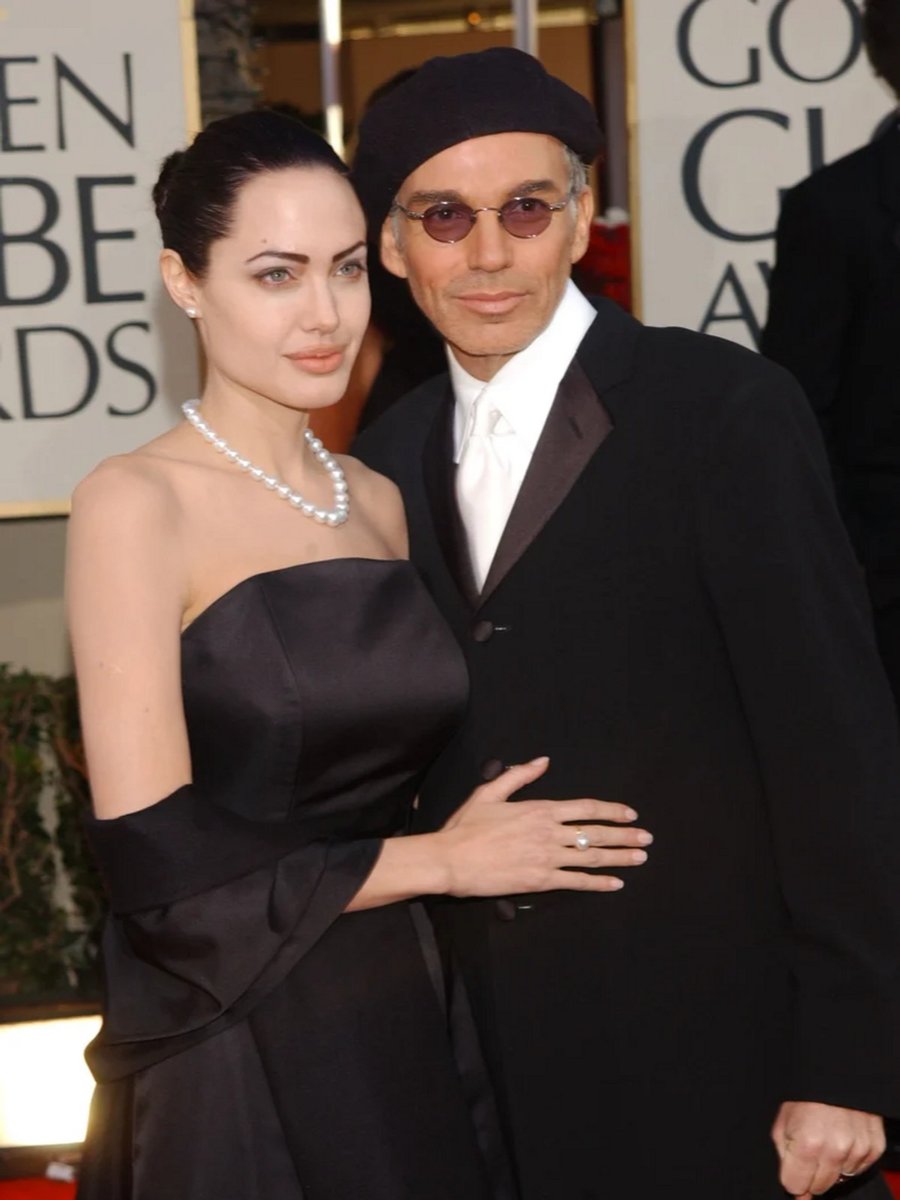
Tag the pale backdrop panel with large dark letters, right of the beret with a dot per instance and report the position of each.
(730, 104)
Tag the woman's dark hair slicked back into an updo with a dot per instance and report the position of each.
(197, 189)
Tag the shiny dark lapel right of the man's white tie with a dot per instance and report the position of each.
(577, 427)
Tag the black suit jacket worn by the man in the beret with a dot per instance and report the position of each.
(675, 617)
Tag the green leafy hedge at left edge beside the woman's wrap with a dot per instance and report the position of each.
(51, 901)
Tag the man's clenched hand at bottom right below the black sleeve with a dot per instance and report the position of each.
(819, 1144)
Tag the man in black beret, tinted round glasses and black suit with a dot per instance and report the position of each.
(633, 536)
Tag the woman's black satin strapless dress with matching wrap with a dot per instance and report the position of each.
(260, 1043)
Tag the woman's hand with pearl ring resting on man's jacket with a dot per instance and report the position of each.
(494, 848)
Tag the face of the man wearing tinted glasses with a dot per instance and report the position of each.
(490, 295)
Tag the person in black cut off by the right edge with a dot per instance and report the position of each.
(835, 315)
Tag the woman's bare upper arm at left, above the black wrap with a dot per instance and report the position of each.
(125, 595)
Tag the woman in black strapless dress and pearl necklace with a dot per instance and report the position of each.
(262, 680)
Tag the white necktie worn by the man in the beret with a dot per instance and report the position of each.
(485, 489)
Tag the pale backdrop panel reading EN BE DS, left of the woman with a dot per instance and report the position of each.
(93, 356)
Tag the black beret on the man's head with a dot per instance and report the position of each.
(451, 100)
